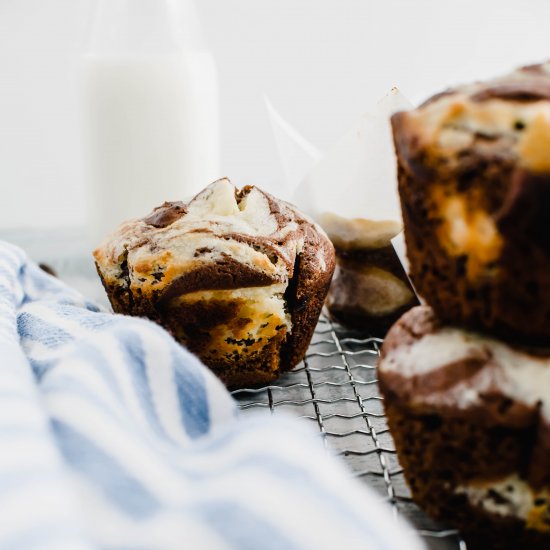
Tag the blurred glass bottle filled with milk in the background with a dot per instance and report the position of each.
(151, 109)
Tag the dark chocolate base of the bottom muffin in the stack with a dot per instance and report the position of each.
(439, 454)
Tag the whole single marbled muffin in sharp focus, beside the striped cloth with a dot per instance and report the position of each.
(237, 276)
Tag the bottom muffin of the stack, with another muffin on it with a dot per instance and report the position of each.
(471, 421)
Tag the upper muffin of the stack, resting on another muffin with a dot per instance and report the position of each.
(474, 182)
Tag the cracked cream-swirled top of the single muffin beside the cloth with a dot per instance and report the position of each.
(257, 237)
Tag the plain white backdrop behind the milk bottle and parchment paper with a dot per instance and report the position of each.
(322, 63)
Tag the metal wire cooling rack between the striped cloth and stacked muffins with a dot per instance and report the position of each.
(336, 387)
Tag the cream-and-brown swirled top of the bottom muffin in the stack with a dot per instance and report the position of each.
(424, 363)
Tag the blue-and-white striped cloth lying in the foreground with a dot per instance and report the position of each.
(113, 436)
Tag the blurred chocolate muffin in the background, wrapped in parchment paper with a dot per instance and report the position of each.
(370, 289)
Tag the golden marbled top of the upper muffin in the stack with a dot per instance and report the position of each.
(509, 115)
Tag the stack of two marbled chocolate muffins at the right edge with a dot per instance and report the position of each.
(467, 379)
